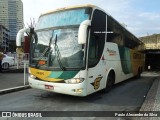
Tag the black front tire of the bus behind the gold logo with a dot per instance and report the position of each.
(110, 81)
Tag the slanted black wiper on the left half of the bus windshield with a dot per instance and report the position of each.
(44, 52)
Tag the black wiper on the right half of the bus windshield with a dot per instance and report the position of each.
(58, 54)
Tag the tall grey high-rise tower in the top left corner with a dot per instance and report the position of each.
(11, 17)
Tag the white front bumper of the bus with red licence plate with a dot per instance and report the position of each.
(63, 88)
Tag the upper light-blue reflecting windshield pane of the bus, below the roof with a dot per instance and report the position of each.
(63, 18)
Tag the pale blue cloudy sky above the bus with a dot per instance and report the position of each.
(141, 17)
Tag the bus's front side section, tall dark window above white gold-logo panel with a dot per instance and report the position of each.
(96, 61)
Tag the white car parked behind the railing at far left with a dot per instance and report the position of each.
(7, 61)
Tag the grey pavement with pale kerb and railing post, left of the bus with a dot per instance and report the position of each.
(13, 80)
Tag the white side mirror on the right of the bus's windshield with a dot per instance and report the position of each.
(82, 32)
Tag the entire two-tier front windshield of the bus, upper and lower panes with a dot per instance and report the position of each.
(56, 41)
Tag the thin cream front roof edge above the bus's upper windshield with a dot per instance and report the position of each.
(67, 8)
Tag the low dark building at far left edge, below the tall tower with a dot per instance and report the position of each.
(4, 37)
